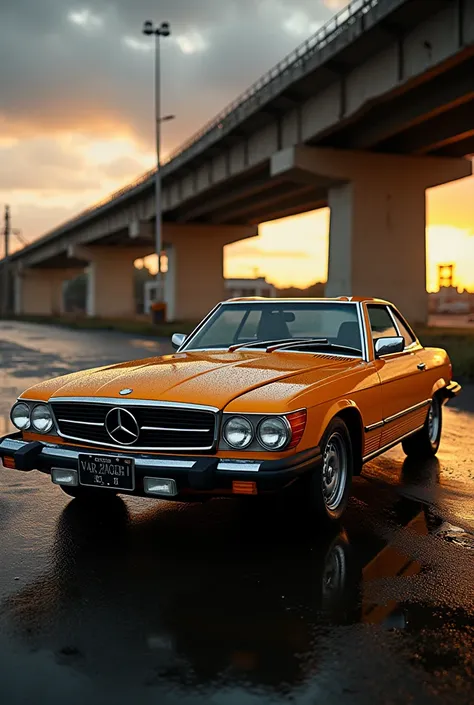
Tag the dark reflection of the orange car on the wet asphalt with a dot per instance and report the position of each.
(205, 596)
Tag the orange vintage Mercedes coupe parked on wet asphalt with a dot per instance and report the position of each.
(264, 395)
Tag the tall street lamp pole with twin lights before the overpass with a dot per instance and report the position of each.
(162, 30)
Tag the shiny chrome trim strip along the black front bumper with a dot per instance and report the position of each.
(56, 451)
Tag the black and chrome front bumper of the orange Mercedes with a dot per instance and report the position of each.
(197, 475)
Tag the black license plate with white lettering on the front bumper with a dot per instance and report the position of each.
(106, 471)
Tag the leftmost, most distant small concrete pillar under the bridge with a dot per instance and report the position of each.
(39, 292)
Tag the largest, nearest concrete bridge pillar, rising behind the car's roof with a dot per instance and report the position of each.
(377, 238)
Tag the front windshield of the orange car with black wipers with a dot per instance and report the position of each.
(262, 322)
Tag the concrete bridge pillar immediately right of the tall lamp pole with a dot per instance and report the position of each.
(194, 281)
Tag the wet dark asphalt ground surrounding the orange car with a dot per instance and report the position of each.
(149, 602)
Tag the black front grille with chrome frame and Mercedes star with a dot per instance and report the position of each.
(160, 427)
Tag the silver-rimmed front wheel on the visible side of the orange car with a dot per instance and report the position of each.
(330, 486)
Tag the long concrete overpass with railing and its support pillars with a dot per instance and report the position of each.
(366, 115)
